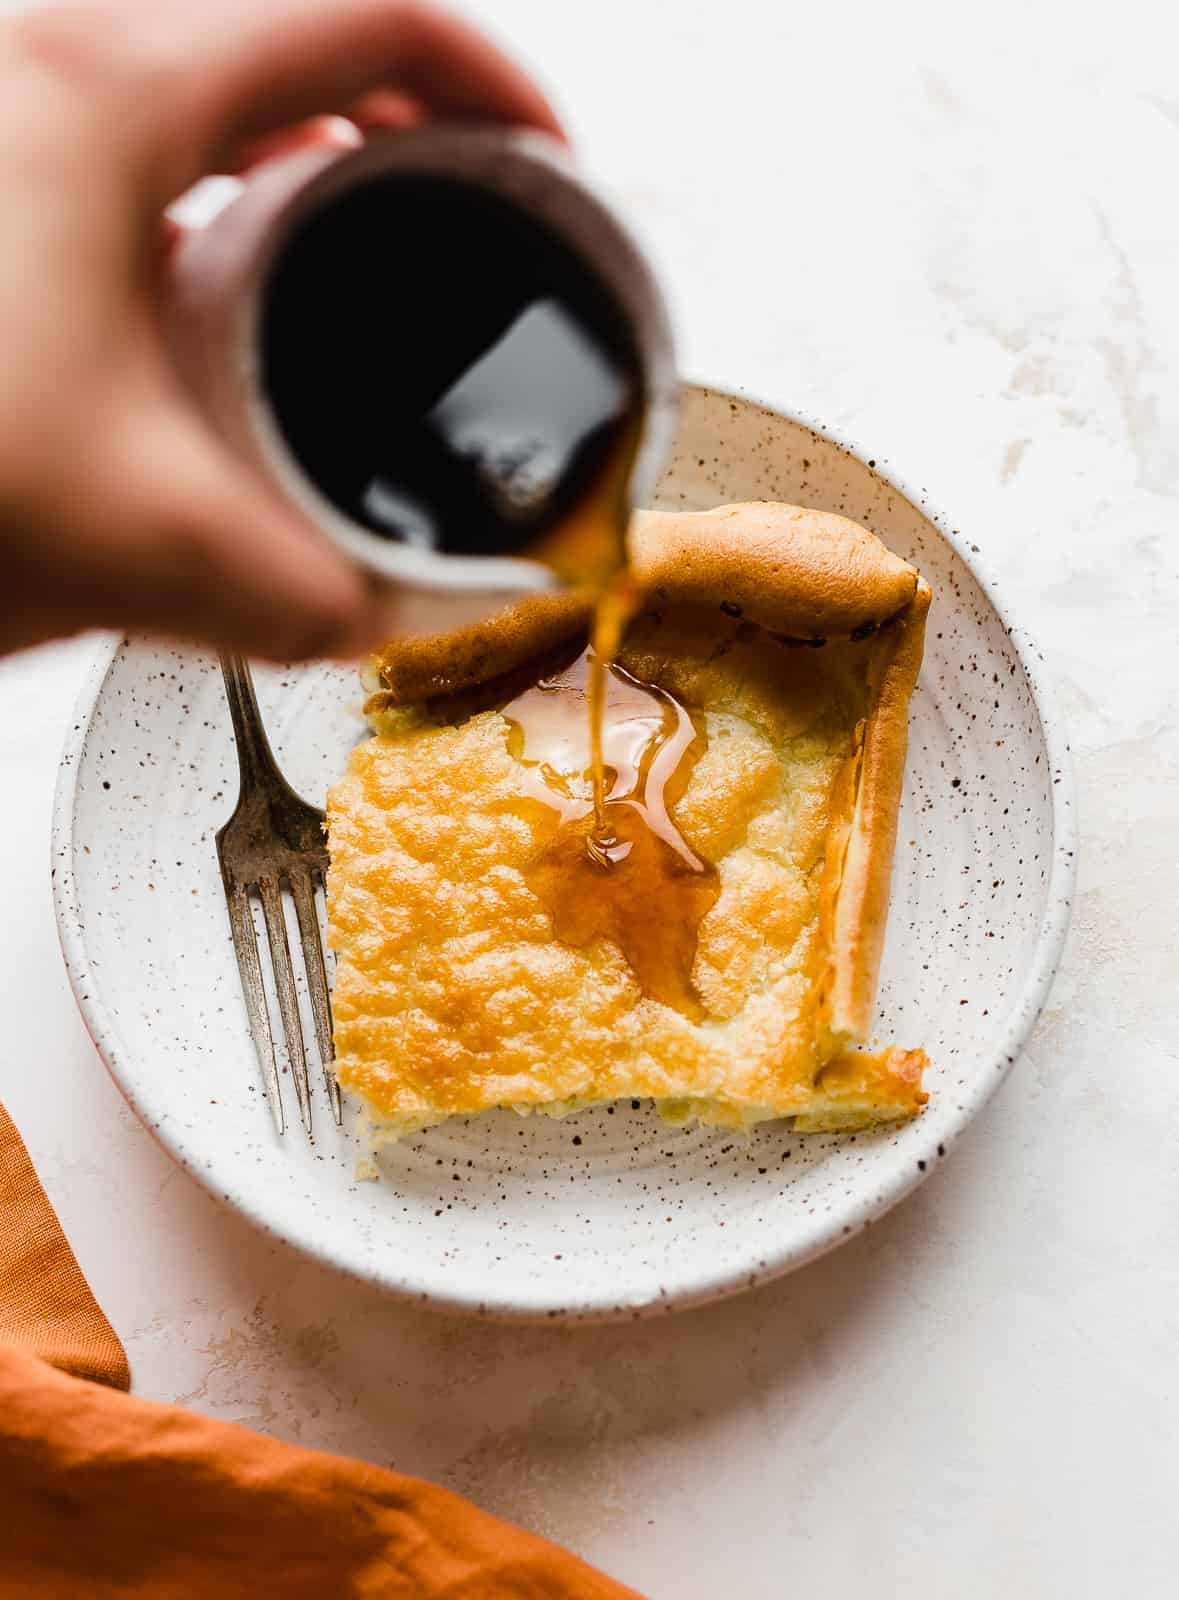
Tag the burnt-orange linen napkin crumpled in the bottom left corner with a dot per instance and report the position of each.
(103, 1495)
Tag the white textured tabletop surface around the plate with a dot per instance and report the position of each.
(953, 233)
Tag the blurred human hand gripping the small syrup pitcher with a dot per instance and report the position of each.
(118, 505)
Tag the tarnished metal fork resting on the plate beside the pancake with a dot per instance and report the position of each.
(274, 842)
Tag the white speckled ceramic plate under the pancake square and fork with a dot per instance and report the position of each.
(610, 1212)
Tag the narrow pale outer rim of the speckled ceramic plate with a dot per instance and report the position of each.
(706, 1286)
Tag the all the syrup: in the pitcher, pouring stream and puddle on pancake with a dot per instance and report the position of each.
(452, 375)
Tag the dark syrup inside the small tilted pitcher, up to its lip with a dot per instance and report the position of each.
(449, 372)
